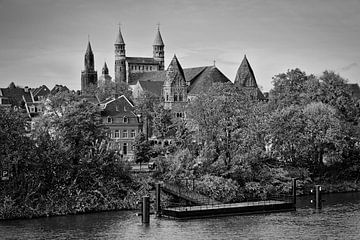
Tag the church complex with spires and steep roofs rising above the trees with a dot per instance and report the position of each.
(175, 85)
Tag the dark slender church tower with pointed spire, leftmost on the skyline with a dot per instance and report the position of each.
(89, 75)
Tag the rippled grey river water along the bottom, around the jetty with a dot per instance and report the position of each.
(339, 219)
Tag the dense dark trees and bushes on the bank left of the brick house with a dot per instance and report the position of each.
(63, 166)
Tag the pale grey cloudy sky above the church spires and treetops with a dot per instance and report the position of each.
(44, 41)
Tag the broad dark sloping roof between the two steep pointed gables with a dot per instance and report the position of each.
(202, 81)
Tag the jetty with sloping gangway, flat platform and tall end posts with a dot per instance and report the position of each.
(205, 207)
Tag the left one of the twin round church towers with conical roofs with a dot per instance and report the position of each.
(120, 58)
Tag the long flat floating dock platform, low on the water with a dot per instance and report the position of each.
(217, 210)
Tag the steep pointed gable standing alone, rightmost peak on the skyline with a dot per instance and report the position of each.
(245, 76)
